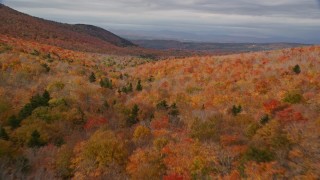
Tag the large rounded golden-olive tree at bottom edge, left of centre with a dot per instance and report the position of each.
(101, 154)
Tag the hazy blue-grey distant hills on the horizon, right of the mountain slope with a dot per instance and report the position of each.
(213, 47)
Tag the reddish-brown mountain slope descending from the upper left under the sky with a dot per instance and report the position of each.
(76, 37)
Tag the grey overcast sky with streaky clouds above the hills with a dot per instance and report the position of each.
(197, 20)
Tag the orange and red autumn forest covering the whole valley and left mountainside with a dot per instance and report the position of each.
(79, 102)
